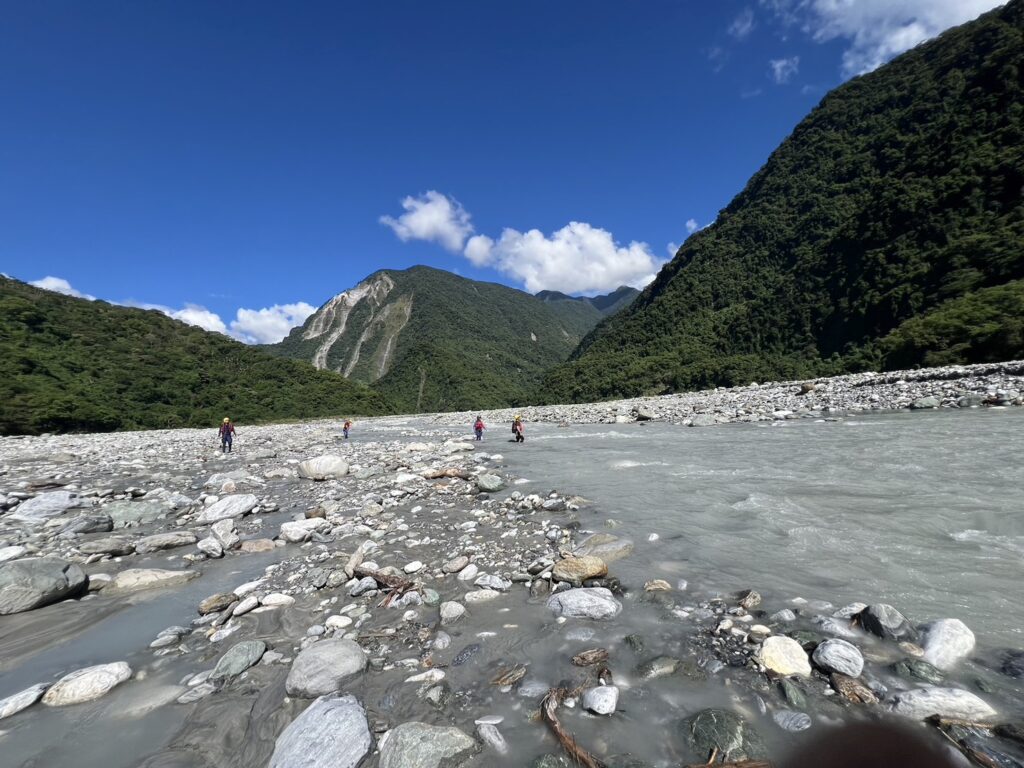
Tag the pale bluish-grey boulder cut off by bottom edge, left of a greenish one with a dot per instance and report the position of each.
(333, 732)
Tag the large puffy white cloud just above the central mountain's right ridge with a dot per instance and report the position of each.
(578, 259)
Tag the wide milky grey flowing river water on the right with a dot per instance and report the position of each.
(922, 510)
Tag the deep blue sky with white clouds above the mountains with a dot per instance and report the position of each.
(239, 164)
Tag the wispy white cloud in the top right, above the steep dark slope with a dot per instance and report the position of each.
(878, 30)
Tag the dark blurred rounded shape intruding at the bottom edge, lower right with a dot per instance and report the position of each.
(873, 746)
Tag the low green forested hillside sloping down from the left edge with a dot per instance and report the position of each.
(70, 365)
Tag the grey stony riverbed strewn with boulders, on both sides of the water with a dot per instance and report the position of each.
(405, 601)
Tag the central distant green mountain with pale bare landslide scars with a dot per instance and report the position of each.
(431, 340)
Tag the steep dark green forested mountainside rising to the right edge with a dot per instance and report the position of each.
(886, 232)
